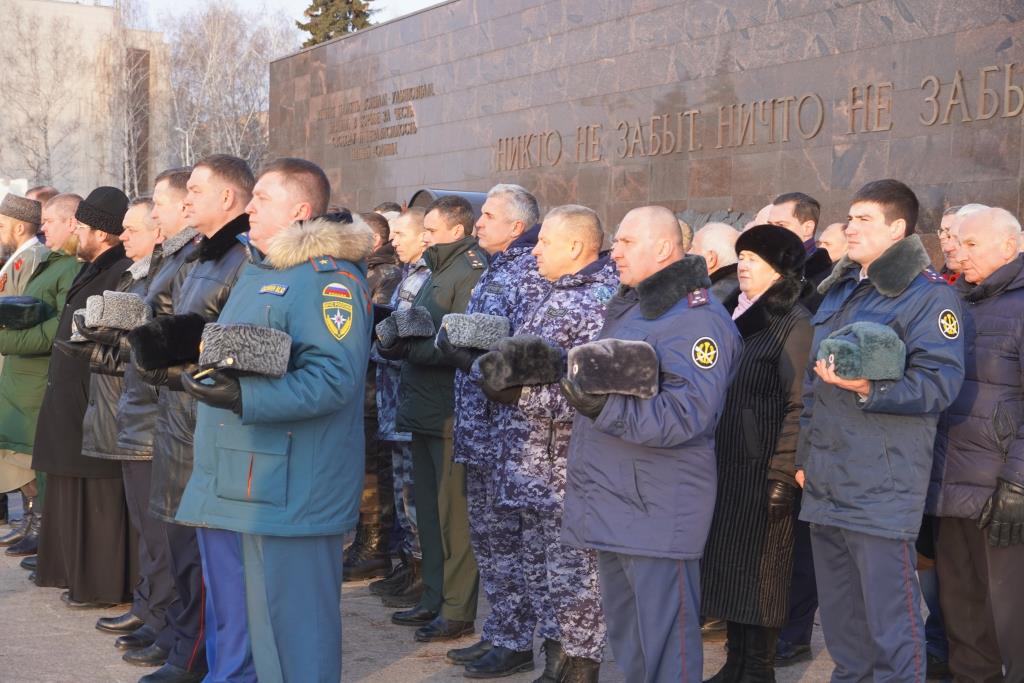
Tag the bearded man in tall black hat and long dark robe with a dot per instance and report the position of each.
(83, 545)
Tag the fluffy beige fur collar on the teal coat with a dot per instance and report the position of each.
(320, 237)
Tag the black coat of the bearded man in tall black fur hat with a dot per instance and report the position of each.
(59, 435)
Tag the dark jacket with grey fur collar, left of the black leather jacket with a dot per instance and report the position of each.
(138, 408)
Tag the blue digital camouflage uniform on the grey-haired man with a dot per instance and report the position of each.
(509, 287)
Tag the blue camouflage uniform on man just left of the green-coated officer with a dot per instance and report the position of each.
(389, 379)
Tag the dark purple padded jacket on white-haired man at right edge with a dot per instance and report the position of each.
(984, 437)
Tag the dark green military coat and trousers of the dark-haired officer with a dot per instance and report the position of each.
(425, 409)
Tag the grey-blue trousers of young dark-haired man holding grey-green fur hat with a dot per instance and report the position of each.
(871, 607)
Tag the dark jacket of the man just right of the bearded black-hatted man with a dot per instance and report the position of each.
(100, 429)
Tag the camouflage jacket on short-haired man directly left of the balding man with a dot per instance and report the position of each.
(535, 435)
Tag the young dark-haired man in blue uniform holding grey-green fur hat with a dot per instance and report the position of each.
(866, 447)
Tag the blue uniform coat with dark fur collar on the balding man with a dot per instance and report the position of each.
(642, 478)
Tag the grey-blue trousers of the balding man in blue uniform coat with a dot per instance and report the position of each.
(653, 610)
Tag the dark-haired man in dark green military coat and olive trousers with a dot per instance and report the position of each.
(448, 608)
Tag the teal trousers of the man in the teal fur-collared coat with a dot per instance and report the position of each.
(293, 593)
